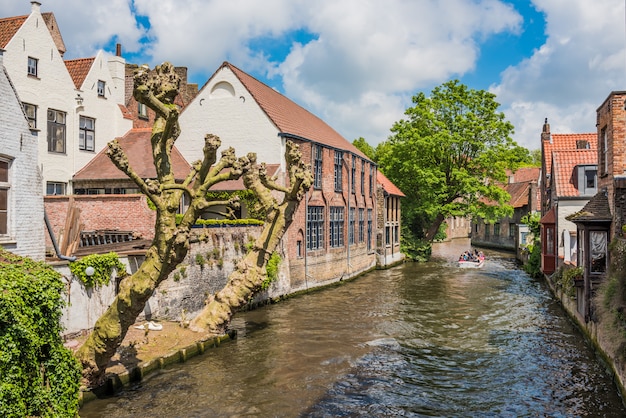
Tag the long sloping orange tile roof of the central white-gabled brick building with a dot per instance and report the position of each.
(290, 118)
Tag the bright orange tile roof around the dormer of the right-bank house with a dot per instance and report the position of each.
(564, 163)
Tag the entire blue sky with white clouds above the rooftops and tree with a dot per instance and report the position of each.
(357, 63)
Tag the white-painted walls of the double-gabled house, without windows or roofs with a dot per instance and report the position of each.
(52, 88)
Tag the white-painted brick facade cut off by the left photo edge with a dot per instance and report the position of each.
(18, 151)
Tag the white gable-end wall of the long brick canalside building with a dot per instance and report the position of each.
(225, 108)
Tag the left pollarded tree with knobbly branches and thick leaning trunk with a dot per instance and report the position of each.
(157, 89)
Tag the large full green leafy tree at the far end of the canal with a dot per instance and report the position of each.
(450, 156)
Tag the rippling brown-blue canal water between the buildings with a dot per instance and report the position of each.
(418, 340)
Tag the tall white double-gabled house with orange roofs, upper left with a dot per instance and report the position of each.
(73, 105)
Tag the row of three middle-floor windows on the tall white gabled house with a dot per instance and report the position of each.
(56, 123)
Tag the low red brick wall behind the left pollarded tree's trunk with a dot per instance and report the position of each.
(124, 212)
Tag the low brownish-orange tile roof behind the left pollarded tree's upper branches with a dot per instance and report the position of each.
(136, 145)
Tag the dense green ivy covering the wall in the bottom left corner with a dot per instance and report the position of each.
(38, 375)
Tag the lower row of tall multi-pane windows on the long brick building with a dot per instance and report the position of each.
(315, 227)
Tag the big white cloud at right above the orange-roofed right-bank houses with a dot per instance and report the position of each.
(569, 77)
